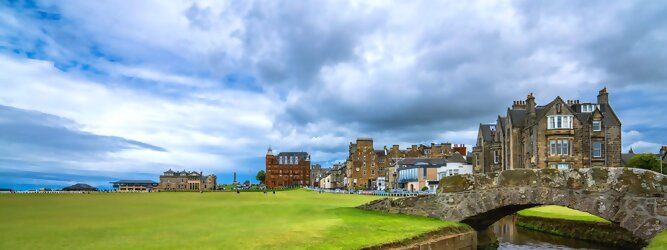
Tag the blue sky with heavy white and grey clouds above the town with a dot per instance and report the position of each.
(96, 91)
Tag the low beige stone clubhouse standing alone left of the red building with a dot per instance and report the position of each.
(183, 180)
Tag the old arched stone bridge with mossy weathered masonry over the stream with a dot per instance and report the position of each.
(632, 198)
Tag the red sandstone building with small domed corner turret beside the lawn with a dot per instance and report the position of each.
(287, 169)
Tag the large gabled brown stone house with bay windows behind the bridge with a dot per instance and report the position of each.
(561, 134)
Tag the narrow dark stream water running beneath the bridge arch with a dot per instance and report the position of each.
(515, 237)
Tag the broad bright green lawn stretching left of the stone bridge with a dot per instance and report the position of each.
(287, 220)
